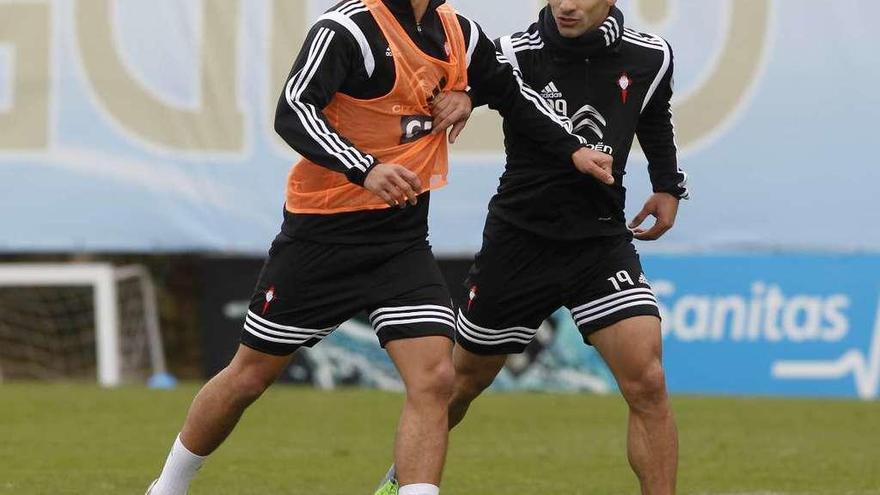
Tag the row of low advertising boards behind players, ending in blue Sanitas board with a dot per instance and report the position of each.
(740, 325)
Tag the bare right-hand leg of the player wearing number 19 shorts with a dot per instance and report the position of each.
(632, 350)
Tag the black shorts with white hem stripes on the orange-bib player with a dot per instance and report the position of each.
(307, 289)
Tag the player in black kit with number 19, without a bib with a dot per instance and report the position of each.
(556, 238)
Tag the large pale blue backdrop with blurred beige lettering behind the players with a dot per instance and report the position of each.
(148, 126)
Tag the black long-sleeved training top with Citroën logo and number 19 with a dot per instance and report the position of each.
(612, 93)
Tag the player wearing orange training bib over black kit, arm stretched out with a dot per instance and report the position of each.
(358, 107)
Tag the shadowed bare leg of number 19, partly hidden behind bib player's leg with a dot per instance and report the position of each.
(473, 374)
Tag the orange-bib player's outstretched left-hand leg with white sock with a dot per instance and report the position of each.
(214, 413)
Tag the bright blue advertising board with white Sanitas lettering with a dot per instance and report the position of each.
(780, 325)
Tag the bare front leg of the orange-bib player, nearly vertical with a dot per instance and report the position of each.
(425, 364)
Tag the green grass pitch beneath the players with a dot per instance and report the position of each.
(65, 439)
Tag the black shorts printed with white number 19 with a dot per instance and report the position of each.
(519, 279)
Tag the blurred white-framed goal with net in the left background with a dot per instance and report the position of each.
(79, 322)
